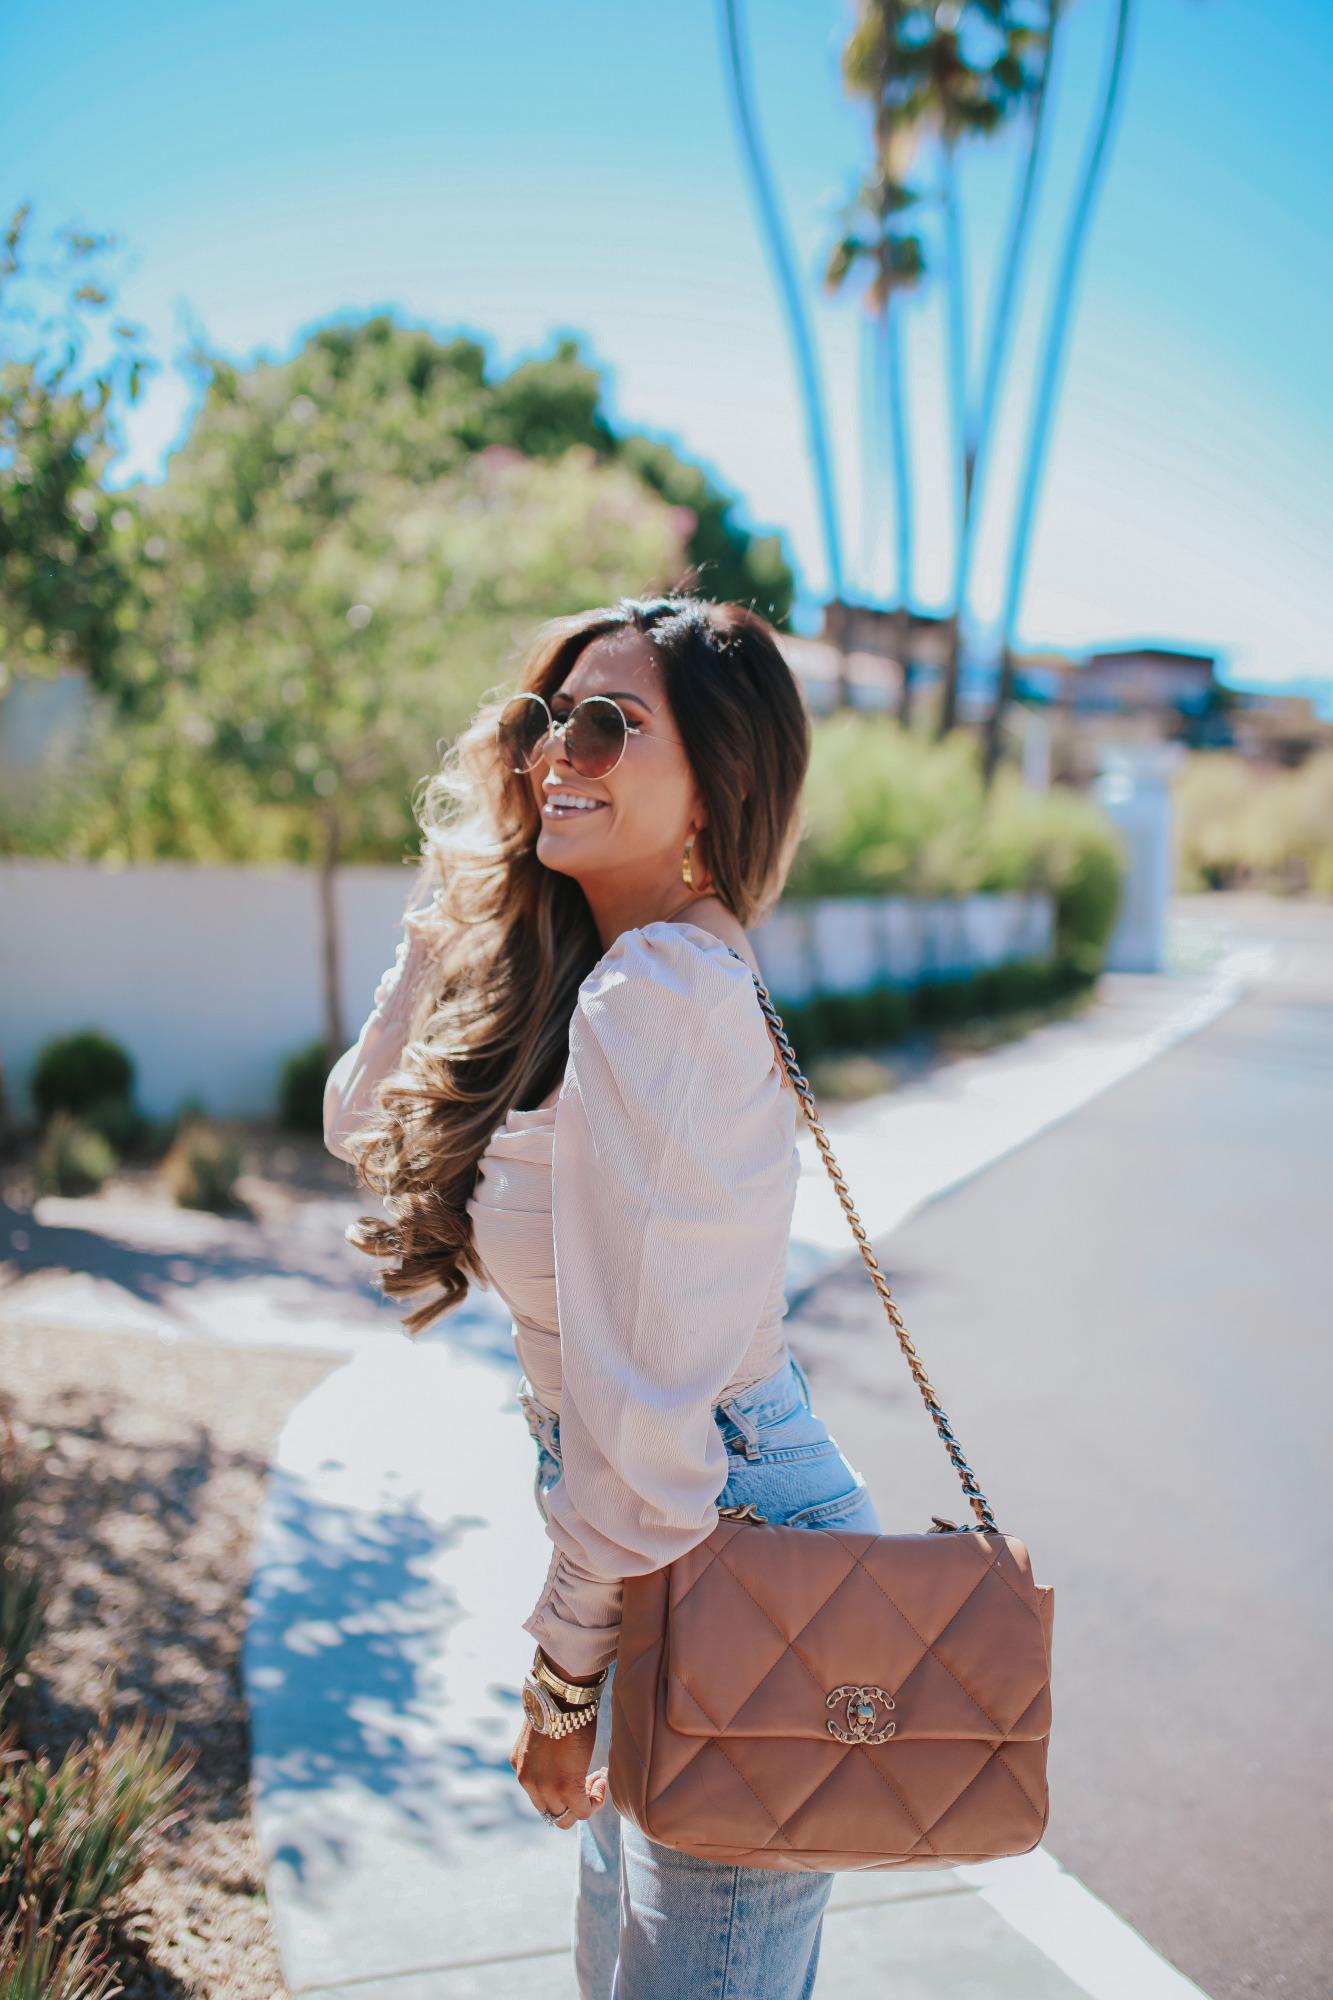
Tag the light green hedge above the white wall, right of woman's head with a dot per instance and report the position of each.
(894, 815)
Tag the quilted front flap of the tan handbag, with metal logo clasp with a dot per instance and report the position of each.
(810, 1633)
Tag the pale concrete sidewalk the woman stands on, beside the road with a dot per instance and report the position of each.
(401, 1551)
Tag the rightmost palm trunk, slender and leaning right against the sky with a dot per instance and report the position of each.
(1052, 373)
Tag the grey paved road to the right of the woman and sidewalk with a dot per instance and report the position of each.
(1130, 1325)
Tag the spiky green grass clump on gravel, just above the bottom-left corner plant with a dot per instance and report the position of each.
(77, 1837)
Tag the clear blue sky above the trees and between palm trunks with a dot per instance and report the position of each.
(525, 169)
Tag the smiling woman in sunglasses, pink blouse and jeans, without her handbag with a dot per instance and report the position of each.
(585, 1113)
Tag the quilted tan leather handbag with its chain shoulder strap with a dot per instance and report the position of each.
(814, 1699)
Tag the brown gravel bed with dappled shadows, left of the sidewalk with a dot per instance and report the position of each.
(145, 1515)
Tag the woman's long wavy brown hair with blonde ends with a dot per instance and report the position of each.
(513, 941)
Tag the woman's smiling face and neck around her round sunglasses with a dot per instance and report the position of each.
(621, 835)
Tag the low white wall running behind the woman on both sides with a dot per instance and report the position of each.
(211, 977)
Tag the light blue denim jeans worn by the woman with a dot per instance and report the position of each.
(655, 1925)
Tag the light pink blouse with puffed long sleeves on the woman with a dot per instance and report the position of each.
(637, 1231)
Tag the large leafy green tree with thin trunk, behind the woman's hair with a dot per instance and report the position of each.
(343, 557)
